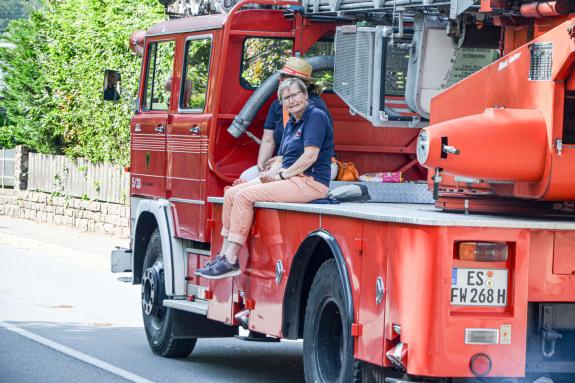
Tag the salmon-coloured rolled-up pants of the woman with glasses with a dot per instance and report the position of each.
(238, 211)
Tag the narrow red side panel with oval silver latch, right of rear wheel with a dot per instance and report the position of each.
(371, 314)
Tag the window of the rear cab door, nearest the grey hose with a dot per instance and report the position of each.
(196, 67)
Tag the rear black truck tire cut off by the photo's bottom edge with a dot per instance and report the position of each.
(327, 343)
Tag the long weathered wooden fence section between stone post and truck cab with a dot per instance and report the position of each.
(60, 175)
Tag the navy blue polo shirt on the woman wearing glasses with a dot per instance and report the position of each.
(313, 129)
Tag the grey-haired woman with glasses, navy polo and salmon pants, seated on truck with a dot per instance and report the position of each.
(306, 150)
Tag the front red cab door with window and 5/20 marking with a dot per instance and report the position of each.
(149, 127)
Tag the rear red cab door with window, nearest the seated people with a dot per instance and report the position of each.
(187, 139)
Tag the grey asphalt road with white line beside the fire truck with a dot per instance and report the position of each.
(65, 318)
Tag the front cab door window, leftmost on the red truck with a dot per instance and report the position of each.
(159, 75)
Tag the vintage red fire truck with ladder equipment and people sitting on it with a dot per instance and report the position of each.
(477, 285)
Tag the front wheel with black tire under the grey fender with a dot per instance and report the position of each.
(159, 321)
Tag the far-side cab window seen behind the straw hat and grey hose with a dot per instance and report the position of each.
(261, 57)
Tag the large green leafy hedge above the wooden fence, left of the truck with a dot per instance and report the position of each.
(53, 74)
